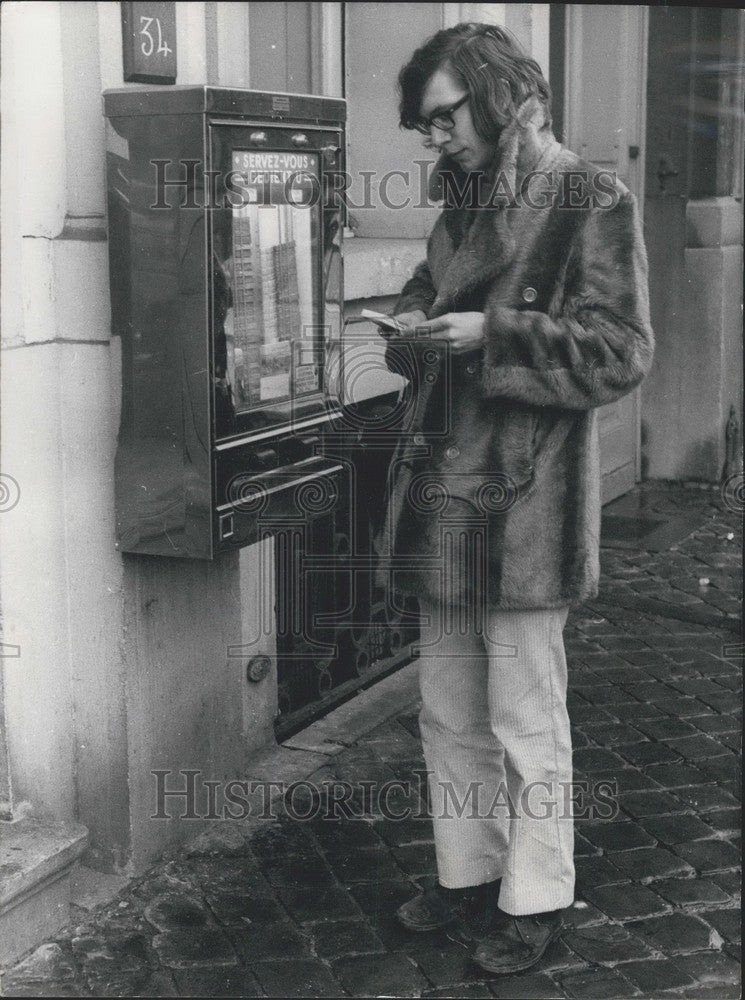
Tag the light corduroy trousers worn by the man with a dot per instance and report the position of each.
(495, 733)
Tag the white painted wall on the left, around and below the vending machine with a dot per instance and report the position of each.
(124, 662)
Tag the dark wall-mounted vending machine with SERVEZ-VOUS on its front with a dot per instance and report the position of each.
(226, 287)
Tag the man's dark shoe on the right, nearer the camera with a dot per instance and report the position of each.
(519, 942)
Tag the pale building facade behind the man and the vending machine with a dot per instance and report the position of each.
(114, 666)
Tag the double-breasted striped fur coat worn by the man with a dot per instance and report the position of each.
(493, 492)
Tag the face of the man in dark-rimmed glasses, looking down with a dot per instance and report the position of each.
(462, 142)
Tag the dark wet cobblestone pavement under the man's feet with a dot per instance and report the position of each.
(305, 909)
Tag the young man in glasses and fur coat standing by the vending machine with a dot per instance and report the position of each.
(533, 297)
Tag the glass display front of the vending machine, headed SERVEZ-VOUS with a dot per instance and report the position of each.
(267, 258)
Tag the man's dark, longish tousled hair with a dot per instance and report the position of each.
(488, 61)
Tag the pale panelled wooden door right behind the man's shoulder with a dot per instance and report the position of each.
(604, 108)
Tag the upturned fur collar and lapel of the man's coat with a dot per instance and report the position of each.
(476, 244)
